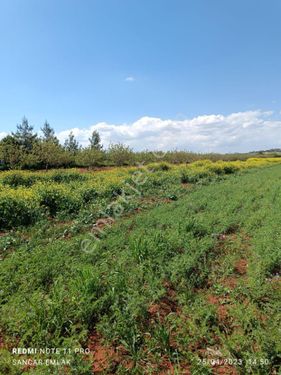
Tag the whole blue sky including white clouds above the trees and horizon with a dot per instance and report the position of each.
(199, 75)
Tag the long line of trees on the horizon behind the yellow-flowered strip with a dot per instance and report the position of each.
(24, 149)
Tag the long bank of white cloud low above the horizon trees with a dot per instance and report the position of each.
(241, 131)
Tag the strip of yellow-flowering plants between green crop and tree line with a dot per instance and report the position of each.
(26, 196)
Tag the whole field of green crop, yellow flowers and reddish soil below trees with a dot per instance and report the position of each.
(186, 280)
